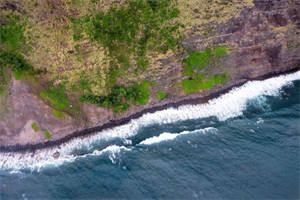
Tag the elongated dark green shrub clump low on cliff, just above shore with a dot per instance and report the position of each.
(121, 96)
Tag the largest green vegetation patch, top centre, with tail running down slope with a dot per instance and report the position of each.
(129, 31)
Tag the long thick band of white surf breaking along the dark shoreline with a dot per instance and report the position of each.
(226, 106)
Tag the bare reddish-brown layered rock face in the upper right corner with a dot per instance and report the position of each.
(263, 39)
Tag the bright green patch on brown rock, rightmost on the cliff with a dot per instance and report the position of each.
(204, 60)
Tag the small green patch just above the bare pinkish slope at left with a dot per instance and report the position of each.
(56, 96)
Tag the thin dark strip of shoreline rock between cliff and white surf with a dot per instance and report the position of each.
(119, 122)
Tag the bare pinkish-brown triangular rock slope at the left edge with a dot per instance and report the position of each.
(21, 109)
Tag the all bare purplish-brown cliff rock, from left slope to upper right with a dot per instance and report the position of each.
(262, 40)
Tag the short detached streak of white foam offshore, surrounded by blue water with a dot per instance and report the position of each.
(170, 136)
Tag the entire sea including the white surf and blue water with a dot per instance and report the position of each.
(242, 145)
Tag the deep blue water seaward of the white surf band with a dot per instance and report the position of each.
(253, 156)
